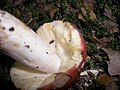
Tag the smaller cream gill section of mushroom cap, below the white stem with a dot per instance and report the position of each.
(26, 78)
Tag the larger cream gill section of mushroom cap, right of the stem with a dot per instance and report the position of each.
(64, 40)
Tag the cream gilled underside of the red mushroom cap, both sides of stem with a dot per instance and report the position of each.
(64, 40)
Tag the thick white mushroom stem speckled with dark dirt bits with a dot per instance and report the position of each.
(21, 43)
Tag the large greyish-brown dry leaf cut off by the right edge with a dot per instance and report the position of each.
(114, 63)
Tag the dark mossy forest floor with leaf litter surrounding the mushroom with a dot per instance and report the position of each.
(98, 21)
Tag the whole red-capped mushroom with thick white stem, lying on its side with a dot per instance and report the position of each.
(49, 59)
